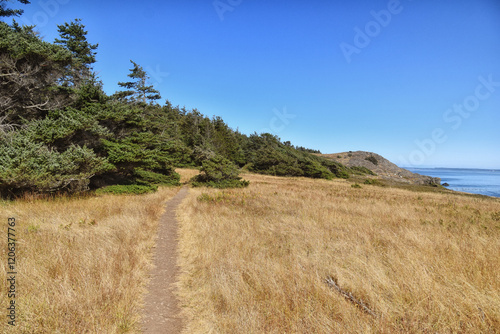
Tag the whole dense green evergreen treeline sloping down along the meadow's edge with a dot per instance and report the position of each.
(59, 131)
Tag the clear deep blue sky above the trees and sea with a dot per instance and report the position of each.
(415, 81)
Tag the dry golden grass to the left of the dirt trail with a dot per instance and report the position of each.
(82, 263)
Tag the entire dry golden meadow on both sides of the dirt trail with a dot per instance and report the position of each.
(284, 255)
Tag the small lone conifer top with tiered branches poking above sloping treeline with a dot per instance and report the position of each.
(137, 90)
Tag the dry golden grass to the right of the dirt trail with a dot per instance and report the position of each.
(255, 260)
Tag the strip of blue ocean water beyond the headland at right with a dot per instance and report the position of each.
(476, 181)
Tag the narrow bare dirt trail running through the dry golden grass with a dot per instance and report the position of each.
(161, 312)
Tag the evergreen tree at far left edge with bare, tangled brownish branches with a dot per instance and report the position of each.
(29, 72)
